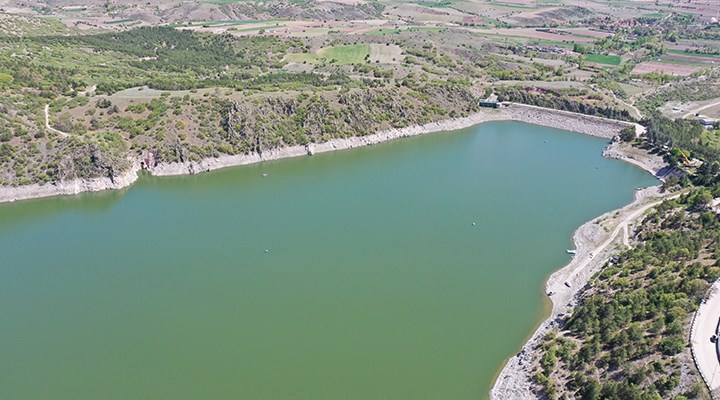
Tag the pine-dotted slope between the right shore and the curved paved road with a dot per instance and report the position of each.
(627, 339)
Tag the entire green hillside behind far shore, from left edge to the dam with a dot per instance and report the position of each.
(175, 95)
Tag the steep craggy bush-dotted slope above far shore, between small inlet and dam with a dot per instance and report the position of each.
(232, 126)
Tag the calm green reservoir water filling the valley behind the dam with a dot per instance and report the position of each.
(350, 275)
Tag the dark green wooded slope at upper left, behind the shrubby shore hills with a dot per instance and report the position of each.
(163, 58)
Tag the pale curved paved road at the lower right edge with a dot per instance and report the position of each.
(706, 322)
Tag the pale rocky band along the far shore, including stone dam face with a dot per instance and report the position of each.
(580, 123)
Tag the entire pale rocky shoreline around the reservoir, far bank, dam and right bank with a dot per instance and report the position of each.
(515, 379)
